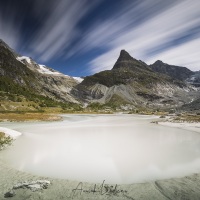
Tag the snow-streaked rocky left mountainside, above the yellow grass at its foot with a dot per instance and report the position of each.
(22, 78)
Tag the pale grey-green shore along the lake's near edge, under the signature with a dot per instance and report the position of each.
(175, 188)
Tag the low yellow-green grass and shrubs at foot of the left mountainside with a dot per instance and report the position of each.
(26, 101)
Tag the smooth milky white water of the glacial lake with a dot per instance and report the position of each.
(116, 148)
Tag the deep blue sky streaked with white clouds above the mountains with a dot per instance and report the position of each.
(83, 37)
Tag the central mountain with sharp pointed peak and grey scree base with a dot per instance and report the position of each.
(133, 82)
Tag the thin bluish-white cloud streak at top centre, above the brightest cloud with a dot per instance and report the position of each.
(103, 32)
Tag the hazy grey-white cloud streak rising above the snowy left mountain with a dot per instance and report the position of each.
(60, 28)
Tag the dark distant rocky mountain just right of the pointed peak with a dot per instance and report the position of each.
(176, 72)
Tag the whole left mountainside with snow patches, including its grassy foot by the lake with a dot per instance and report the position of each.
(28, 86)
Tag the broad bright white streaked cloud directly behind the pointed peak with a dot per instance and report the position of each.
(159, 29)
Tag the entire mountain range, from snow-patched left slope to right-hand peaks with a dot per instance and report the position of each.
(130, 82)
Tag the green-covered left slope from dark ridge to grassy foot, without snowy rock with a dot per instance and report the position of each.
(21, 89)
